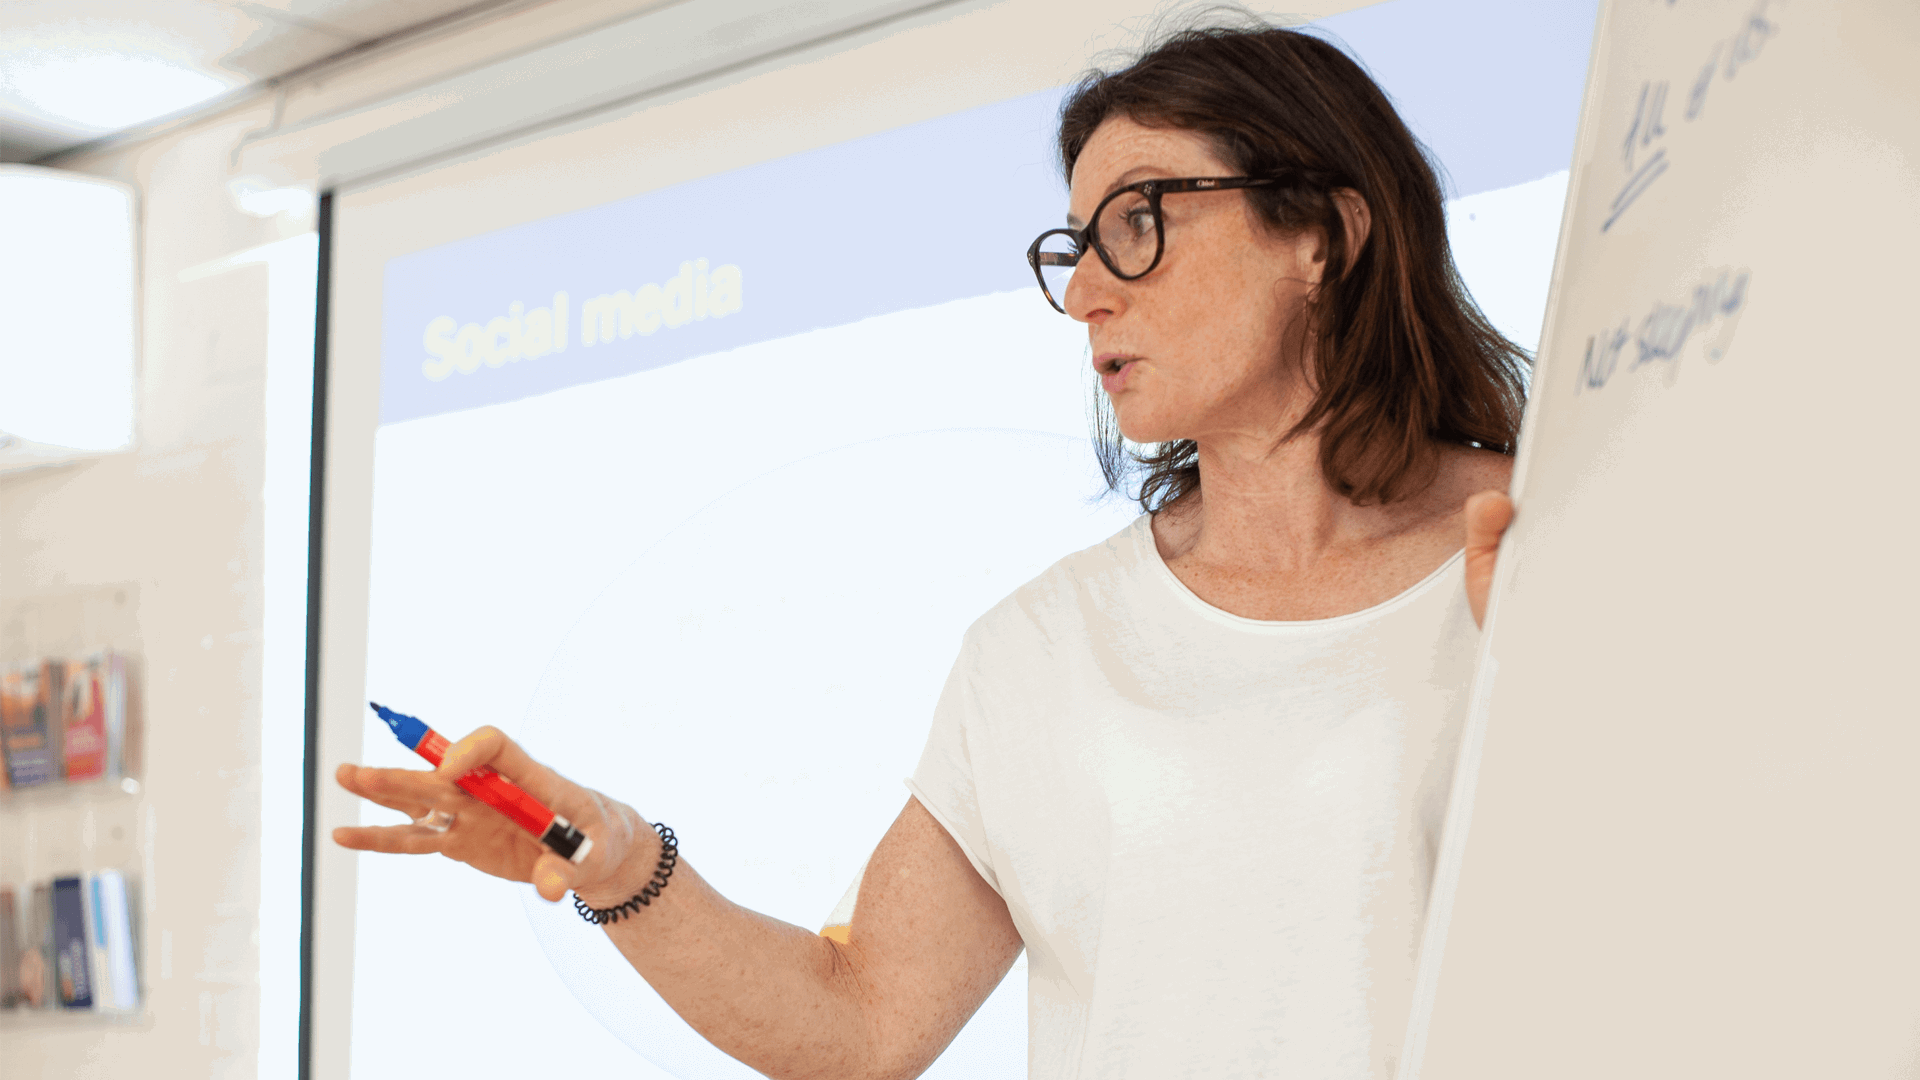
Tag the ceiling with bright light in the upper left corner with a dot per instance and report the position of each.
(82, 70)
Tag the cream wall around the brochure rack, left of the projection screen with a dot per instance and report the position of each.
(180, 520)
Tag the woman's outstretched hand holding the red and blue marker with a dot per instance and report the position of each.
(481, 837)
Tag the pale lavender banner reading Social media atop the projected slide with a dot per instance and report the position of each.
(909, 218)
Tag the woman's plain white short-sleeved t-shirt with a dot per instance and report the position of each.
(1214, 835)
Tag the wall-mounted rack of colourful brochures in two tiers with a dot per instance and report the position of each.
(72, 841)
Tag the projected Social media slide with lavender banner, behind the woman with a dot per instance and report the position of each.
(696, 493)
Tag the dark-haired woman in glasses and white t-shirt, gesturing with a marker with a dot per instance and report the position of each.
(1195, 772)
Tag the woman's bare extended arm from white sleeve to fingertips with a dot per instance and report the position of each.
(928, 941)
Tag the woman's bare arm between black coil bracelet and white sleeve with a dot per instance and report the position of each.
(930, 943)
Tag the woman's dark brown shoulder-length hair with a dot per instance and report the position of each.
(1403, 358)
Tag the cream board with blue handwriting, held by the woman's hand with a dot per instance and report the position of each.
(1683, 837)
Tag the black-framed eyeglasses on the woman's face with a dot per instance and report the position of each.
(1126, 232)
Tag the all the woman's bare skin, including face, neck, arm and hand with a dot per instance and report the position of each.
(930, 939)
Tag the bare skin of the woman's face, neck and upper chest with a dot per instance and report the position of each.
(1266, 539)
